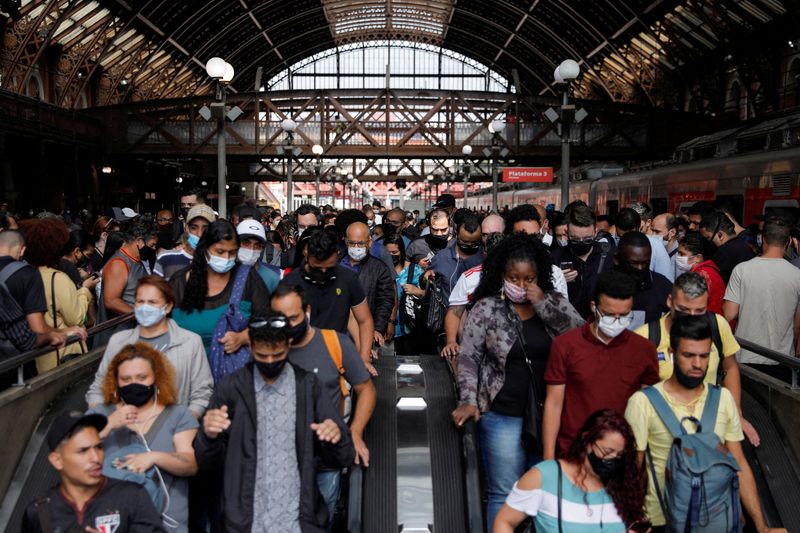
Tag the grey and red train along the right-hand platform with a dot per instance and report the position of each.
(749, 184)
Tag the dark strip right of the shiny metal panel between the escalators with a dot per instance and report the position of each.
(445, 446)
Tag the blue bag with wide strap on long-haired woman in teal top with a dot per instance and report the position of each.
(222, 363)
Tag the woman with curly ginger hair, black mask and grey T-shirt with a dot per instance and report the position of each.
(148, 438)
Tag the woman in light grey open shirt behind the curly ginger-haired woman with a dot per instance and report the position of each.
(155, 301)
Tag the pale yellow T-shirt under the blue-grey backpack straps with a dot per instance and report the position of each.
(649, 430)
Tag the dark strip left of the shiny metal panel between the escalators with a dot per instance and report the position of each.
(380, 479)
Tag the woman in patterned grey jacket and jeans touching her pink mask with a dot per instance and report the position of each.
(503, 354)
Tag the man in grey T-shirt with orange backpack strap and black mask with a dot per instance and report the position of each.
(333, 358)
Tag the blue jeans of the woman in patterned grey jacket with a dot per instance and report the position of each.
(504, 458)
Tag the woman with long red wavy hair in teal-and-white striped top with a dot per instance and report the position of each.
(602, 486)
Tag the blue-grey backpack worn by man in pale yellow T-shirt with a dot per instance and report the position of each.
(702, 482)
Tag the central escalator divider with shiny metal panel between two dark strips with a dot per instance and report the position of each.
(423, 475)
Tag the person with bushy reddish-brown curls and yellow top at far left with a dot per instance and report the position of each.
(67, 305)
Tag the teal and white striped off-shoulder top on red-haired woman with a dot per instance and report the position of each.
(581, 512)
